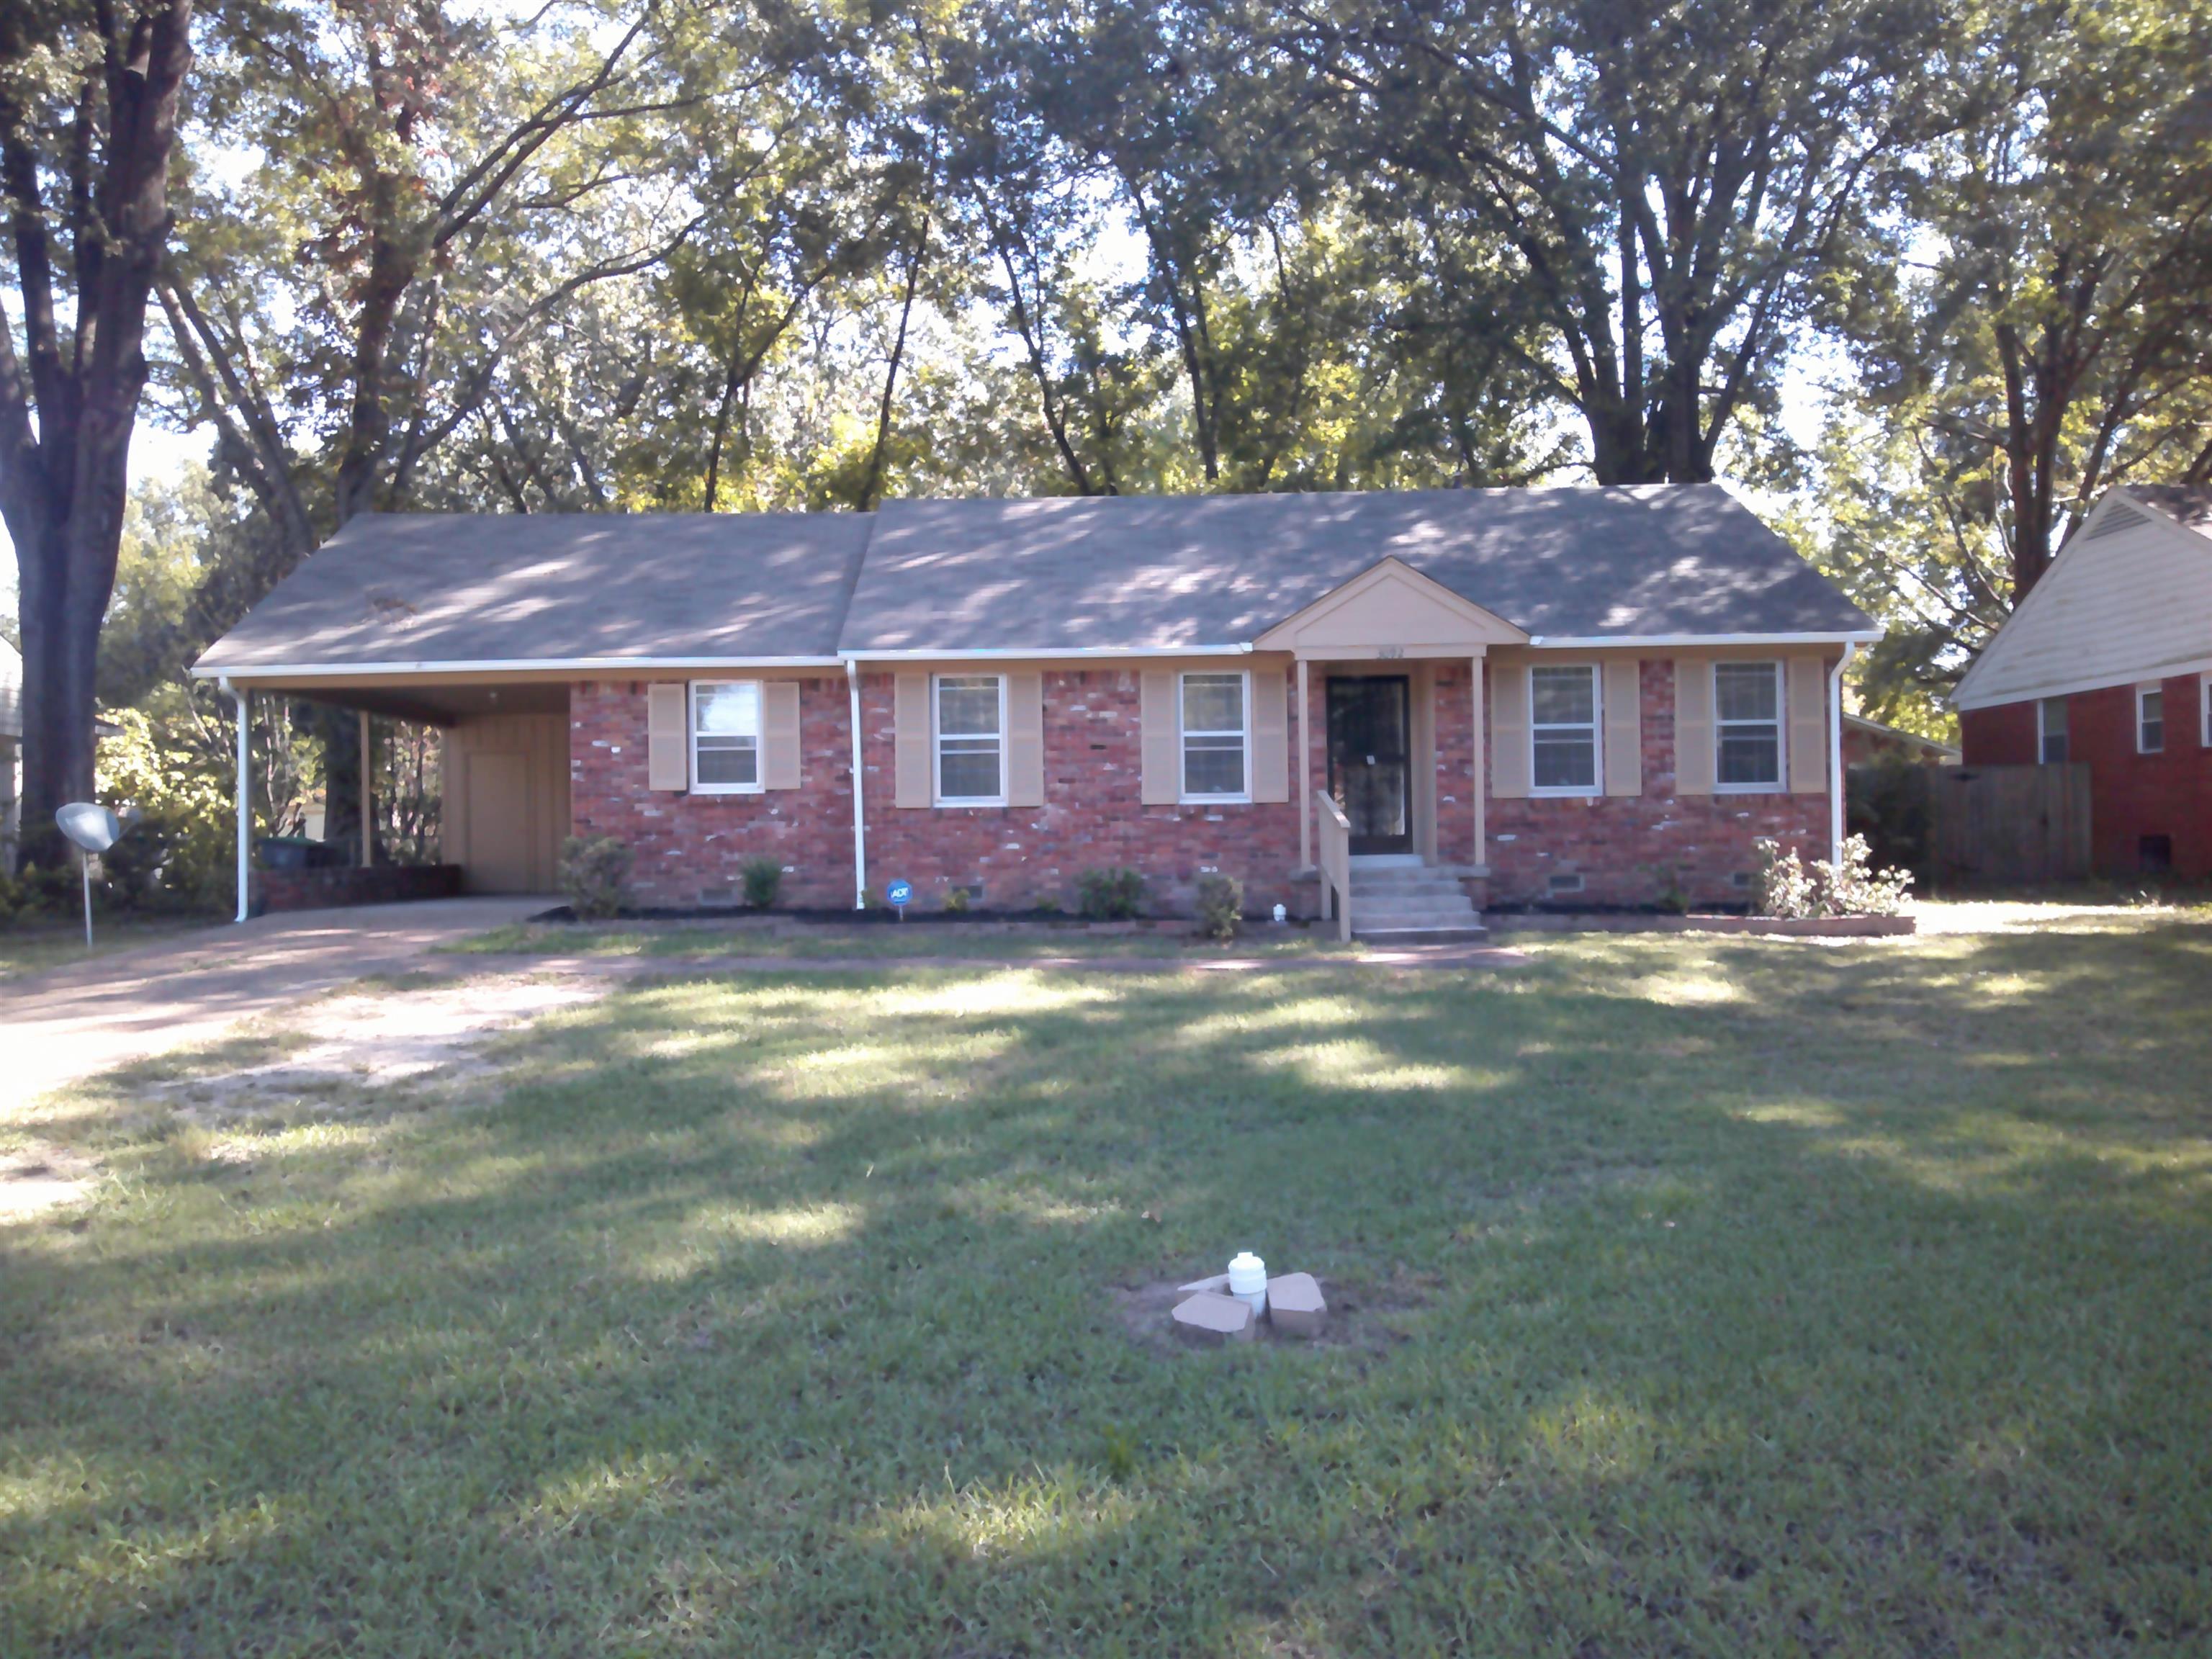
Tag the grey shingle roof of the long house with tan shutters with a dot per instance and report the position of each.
(1058, 574)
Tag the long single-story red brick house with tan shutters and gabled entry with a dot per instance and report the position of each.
(1507, 698)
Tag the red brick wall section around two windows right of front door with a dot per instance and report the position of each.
(1631, 848)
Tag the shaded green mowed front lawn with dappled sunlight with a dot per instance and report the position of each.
(1707, 1297)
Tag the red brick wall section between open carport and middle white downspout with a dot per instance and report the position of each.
(689, 848)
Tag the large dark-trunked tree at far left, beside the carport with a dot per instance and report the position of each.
(87, 123)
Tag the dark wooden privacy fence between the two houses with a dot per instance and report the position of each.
(2007, 824)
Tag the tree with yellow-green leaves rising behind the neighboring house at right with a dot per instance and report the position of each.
(2056, 337)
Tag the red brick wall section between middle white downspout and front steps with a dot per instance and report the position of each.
(1092, 815)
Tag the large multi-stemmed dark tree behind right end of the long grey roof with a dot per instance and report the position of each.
(1673, 185)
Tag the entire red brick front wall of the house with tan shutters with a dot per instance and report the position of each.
(689, 851)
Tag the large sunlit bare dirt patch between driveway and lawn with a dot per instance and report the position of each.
(419, 1039)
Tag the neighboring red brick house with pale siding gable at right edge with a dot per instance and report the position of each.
(2109, 665)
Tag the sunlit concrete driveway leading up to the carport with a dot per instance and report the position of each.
(92, 1016)
